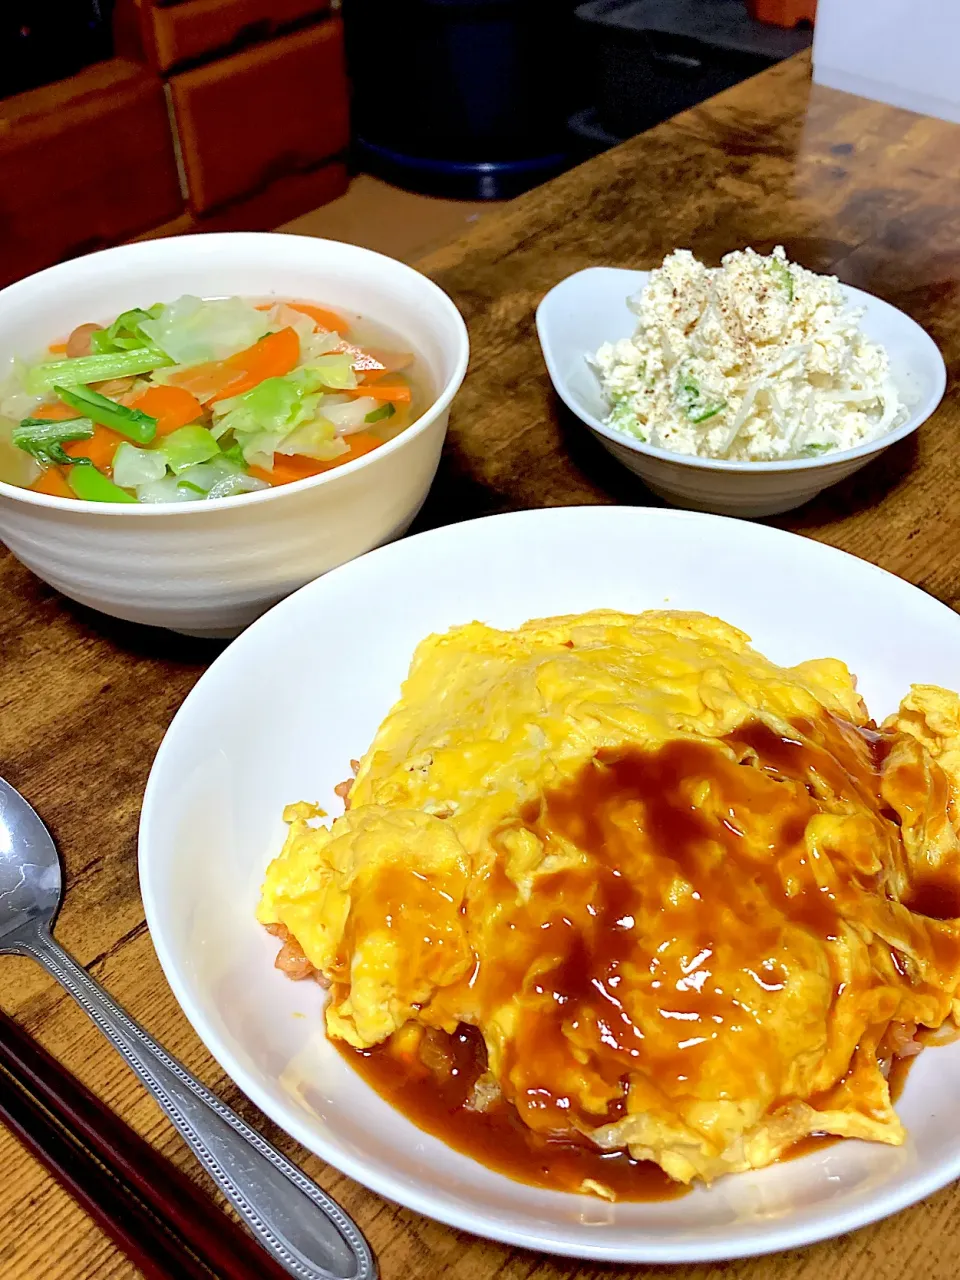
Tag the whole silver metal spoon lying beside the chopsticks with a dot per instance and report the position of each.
(300, 1226)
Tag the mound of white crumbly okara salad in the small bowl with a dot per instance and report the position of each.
(756, 360)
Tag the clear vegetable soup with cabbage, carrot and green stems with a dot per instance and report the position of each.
(198, 400)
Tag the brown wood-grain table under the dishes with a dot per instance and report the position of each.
(848, 186)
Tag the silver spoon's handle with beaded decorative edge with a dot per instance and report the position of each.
(299, 1224)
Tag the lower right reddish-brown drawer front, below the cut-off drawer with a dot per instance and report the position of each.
(275, 109)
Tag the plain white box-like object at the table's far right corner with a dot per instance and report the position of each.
(898, 52)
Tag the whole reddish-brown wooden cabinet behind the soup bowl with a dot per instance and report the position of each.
(217, 116)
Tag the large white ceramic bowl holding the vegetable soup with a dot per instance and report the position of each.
(212, 568)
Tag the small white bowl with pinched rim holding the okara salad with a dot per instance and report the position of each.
(591, 308)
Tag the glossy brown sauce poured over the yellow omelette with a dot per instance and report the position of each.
(643, 824)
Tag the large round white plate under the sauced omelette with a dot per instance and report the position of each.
(281, 714)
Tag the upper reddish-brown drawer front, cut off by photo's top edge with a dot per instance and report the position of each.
(200, 29)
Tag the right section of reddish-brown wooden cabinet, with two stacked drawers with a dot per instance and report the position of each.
(259, 103)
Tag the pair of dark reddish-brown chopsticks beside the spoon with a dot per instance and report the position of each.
(154, 1213)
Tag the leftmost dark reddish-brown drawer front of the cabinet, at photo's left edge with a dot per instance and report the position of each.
(84, 163)
